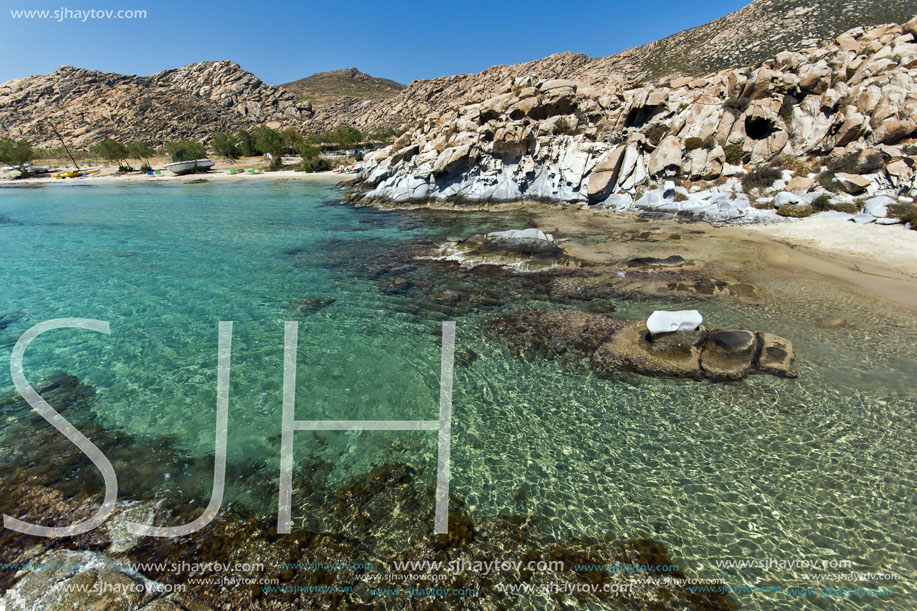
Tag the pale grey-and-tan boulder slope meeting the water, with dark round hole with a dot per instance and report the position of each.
(832, 120)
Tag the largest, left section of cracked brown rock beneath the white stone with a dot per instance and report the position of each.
(672, 354)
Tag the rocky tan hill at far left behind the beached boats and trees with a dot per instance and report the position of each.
(87, 106)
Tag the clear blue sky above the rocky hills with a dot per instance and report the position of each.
(282, 41)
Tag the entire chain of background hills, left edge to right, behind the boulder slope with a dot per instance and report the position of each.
(194, 101)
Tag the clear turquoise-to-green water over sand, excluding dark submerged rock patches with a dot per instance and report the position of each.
(822, 467)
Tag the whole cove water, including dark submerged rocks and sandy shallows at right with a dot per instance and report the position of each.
(820, 466)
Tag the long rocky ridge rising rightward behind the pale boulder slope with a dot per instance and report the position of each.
(745, 37)
